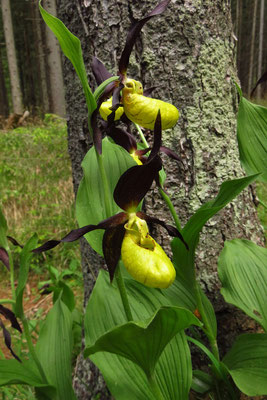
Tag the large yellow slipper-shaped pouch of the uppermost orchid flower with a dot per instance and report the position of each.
(143, 110)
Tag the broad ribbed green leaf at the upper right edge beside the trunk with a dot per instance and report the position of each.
(252, 137)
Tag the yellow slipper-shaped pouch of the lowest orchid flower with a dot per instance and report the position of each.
(144, 258)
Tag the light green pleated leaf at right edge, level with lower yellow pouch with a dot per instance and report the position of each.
(242, 270)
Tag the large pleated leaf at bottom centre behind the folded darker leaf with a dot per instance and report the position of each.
(125, 379)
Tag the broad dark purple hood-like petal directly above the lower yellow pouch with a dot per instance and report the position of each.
(135, 183)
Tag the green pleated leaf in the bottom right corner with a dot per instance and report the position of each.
(247, 363)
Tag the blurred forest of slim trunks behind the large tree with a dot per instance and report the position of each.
(30, 60)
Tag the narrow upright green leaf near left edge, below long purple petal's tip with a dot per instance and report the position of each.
(25, 258)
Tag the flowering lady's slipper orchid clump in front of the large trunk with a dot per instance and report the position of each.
(139, 309)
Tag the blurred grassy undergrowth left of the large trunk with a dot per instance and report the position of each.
(36, 191)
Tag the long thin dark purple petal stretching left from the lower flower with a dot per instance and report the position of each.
(76, 234)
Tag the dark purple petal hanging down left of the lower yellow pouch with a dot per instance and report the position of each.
(112, 241)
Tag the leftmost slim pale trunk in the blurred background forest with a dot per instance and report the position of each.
(12, 59)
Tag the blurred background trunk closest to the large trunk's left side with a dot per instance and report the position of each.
(55, 66)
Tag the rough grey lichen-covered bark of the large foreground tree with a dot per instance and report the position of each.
(189, 54)
